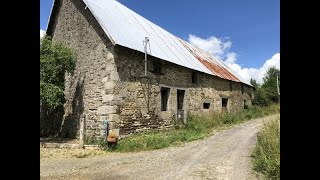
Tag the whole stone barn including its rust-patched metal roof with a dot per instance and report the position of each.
(134, 75)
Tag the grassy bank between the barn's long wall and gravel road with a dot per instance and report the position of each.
(197, 127)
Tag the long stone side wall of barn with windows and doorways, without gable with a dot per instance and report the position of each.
(140, 104)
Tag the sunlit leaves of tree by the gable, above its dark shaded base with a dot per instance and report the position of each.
(55, 60)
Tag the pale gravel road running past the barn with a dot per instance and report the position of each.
(225, 155)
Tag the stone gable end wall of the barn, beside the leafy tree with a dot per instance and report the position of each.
(87, 90)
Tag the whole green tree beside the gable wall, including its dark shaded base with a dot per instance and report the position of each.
(55, 60)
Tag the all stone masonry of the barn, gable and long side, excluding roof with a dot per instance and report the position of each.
(107, 84)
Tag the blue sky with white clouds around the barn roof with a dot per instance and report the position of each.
(243, 33)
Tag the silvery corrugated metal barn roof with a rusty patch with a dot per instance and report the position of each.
(129, 29)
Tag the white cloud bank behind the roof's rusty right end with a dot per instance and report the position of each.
(219, 47)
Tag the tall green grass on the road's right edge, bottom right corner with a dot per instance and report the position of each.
(266, 155)
